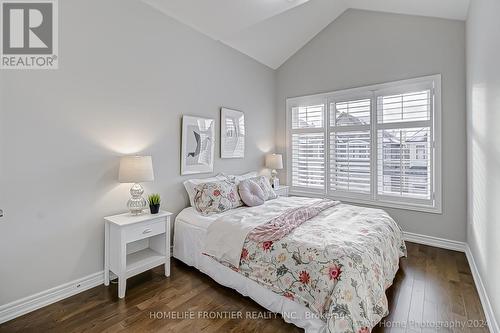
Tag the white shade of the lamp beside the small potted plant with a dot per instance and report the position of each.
(136, 169)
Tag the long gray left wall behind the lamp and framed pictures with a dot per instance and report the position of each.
(127, 74)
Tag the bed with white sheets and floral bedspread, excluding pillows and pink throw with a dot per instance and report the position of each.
(329, 274)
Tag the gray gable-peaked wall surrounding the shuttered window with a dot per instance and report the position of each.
(362, 48)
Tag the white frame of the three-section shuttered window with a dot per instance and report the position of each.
(432, 82)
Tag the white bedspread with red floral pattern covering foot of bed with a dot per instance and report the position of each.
(338, 264)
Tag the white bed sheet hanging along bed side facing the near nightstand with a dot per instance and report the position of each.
(189, 241)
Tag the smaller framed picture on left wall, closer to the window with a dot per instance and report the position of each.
(232, 143)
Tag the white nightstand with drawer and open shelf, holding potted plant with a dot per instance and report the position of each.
(134, 244)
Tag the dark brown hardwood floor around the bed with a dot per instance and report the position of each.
(433, 290)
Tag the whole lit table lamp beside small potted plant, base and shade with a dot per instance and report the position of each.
(136, 169)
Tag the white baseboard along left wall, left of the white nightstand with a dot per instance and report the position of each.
(31, 303)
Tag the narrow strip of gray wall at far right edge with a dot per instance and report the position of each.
(483, 143)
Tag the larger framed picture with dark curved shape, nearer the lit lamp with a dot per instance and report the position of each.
(197, 145)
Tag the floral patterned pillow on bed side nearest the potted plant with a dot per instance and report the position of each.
(216, 197)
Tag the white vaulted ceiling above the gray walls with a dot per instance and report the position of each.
(271, 31)
